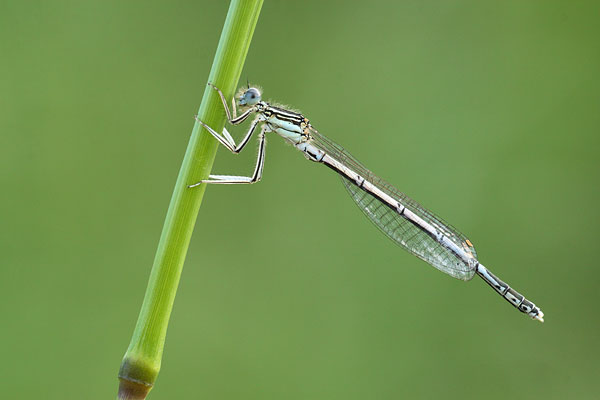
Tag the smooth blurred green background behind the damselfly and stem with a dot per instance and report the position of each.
(486, 112)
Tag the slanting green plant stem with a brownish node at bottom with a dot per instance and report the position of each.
(141, 362)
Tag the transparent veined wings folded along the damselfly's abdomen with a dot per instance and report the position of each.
(396, 227)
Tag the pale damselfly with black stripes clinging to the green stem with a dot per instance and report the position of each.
(402, 219)
